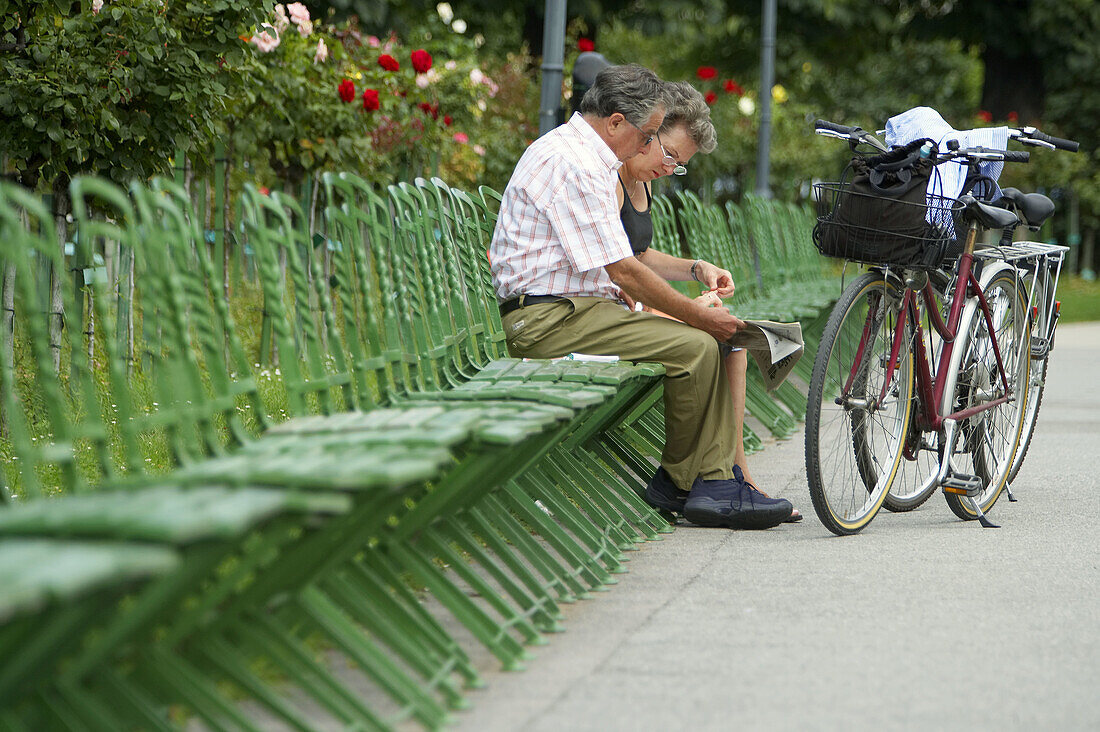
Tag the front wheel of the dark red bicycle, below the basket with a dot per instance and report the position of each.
(856, 422)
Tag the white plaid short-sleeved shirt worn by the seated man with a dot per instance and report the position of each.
(559, 224)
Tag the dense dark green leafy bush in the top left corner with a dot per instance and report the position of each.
(115, 92)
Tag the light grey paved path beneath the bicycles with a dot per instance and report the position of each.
(920, 622)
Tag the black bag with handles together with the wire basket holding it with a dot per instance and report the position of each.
(884, 214)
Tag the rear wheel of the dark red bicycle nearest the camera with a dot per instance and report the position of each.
(991, 439)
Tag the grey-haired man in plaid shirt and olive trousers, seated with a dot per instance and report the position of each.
(562, 264)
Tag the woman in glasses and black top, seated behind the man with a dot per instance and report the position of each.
(687, 130)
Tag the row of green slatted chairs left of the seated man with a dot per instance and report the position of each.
(422, 453)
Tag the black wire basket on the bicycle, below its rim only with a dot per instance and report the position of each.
(874, 230)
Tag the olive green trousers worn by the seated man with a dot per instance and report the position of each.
(699, 412)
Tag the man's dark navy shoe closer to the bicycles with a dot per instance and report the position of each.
(734, 505)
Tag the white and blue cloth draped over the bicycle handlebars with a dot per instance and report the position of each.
(927, 123)
